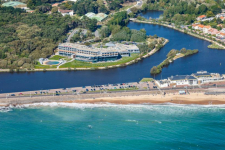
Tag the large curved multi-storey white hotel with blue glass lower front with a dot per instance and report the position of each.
(94, 54)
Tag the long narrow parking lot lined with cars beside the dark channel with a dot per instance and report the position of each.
(85, 89)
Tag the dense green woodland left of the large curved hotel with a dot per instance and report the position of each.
(26, 37)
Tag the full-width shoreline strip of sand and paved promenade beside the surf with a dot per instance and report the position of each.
(196, 97)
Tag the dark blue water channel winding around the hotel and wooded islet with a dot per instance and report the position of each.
(211, 60)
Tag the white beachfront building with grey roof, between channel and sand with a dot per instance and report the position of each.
(182, 80)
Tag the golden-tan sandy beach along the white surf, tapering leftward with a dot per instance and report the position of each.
(193, 98)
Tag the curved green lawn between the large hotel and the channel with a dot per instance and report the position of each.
(81, 64)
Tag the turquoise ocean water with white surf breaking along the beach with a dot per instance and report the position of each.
(109, 126)
